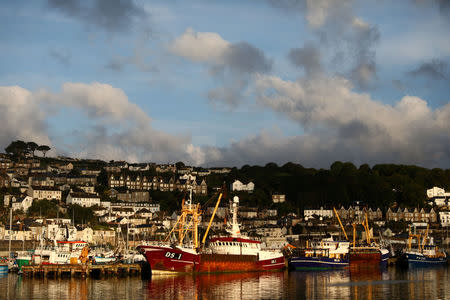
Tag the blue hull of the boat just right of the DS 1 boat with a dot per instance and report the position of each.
(318, 263)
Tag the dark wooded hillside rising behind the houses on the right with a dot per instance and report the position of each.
(380, 186)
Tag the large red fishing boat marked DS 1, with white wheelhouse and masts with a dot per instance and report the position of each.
(232, 253)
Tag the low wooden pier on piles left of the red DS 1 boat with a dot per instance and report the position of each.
(81, 270)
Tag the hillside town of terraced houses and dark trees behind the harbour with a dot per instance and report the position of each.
(103, 203)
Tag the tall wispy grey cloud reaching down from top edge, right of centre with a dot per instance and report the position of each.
(338, 30)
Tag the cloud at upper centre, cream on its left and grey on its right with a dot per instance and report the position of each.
(232, 65)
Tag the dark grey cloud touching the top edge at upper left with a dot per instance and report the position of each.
(110, 15)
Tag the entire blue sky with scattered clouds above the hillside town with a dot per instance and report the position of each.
(229, 83)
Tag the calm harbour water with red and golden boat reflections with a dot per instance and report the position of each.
(390, 283)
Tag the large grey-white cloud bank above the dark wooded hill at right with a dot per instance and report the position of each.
(340, 124)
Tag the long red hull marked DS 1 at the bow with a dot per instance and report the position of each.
(168, 259)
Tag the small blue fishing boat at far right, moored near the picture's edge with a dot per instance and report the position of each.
(425, 254)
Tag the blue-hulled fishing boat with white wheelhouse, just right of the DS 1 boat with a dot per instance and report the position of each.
(324, 254)
